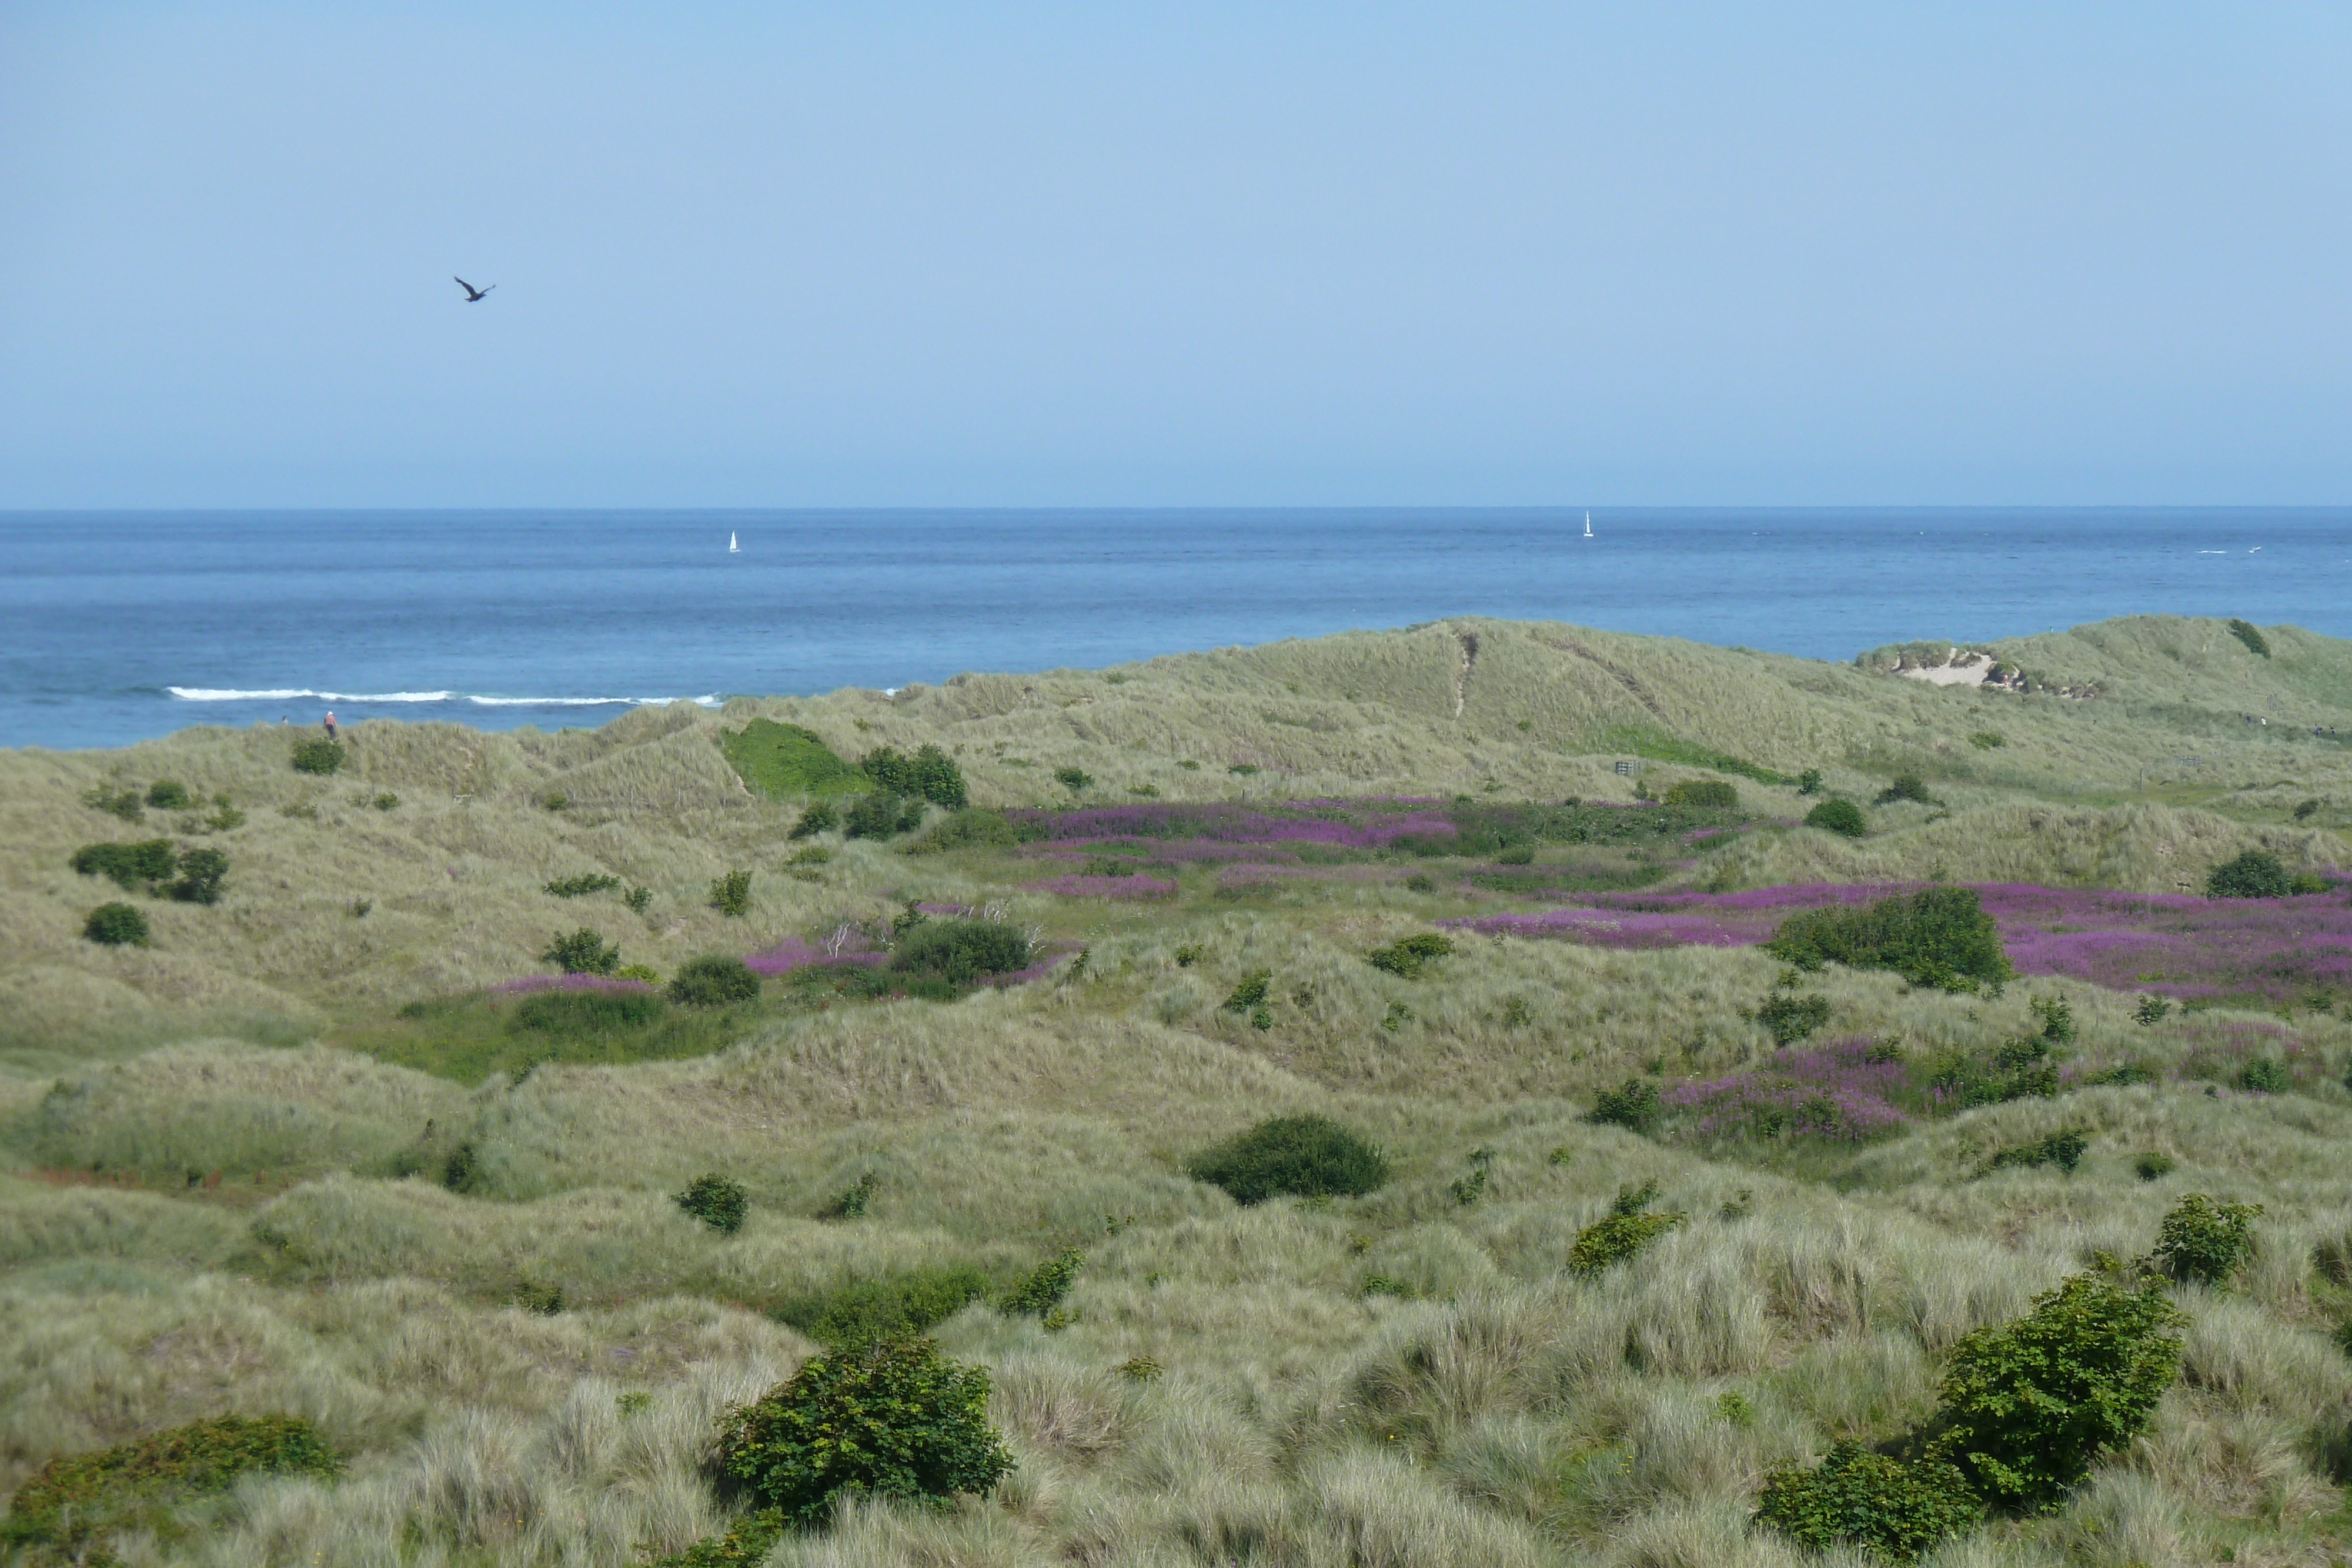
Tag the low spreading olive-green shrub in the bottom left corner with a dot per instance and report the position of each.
(76, 1501)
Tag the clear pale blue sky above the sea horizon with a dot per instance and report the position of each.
(1175, 255)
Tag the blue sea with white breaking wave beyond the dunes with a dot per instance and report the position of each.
(119, 626)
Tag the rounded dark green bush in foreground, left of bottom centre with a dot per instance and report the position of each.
(886, 1421)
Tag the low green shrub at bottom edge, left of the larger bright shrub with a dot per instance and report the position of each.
(1895, 1510)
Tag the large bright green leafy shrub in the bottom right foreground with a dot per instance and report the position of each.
(2029, 1405)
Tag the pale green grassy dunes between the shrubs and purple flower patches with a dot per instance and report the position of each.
(248, 1184)
